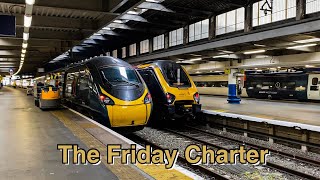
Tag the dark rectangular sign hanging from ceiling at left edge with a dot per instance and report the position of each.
(8, 25)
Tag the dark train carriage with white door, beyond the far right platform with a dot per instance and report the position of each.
(293, 85)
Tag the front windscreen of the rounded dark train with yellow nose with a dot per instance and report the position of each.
(120, 76)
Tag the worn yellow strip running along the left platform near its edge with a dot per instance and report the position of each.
(120, 170)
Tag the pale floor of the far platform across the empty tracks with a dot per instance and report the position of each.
(292, 111)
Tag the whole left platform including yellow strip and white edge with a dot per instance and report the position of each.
(29, 139)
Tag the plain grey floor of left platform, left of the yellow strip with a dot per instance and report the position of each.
(28, 141)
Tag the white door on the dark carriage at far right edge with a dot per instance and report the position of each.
(313, 87)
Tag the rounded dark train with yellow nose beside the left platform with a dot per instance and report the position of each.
(110, 90)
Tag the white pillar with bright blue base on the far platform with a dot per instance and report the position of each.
(232, 86)
